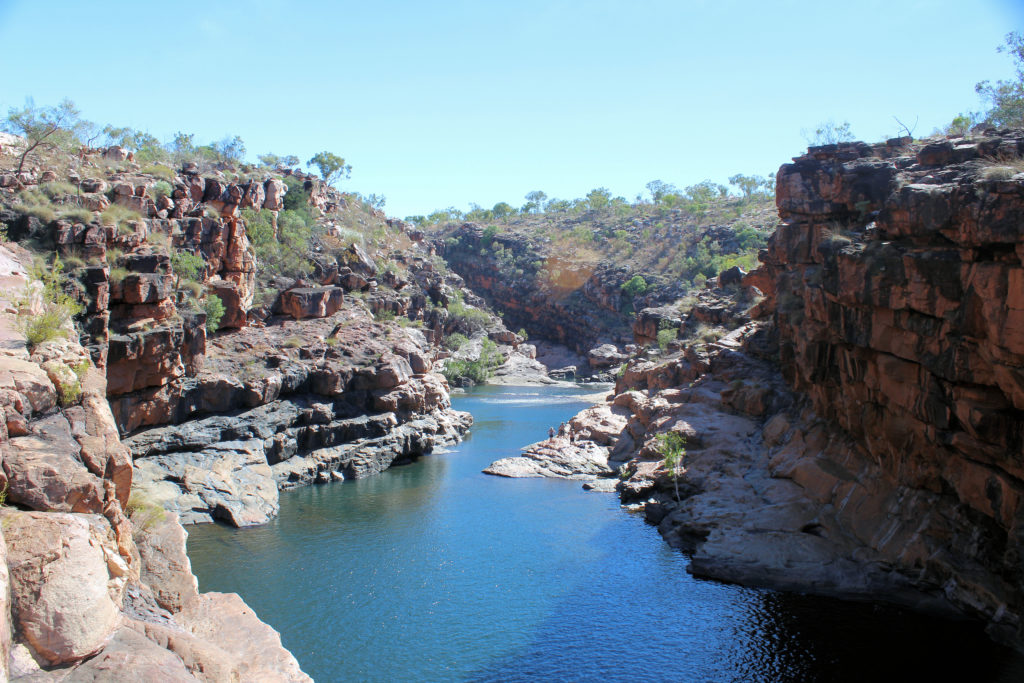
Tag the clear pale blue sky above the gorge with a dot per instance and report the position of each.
(447, 104)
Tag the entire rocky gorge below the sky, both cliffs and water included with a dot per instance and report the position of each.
(847, 419)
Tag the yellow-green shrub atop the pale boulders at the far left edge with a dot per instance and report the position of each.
(46, 294)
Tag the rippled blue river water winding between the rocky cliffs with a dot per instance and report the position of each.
(434, 572)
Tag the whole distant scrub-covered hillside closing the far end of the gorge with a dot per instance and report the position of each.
(577, 273)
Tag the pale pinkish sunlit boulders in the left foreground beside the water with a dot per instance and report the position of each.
(97, 586)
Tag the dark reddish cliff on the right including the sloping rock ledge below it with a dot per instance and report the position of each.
(864, 438)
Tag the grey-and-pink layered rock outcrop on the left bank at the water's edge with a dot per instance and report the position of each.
(298, 403)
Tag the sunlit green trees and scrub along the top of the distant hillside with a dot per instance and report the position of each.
(674, 235)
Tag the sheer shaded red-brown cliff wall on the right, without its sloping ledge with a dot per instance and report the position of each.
(899, 291)
